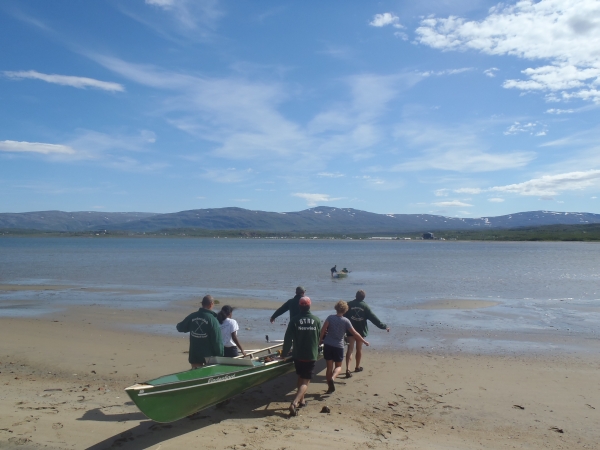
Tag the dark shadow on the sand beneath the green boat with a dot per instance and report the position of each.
(253, 403)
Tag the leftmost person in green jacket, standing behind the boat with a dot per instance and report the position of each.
(205, 333)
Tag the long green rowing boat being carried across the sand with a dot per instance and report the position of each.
(173, 397)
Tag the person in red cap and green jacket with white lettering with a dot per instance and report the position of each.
(302, 336)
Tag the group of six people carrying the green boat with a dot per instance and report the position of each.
(213, 334)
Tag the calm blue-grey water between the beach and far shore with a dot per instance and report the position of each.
(548, 293)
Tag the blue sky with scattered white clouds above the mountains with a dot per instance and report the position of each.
(462, 108)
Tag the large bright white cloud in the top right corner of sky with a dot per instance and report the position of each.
(564, 32)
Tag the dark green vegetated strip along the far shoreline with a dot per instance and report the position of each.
(585, 232)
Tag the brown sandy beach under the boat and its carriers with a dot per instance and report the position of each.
(62, 380)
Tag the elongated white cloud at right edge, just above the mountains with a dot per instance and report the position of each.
(550, 185)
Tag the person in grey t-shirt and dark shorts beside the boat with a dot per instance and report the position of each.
(332, 337)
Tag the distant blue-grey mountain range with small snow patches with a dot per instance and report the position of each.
(321, 219)
